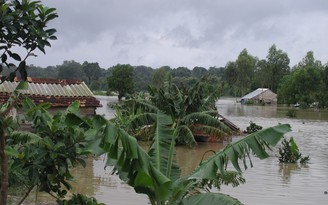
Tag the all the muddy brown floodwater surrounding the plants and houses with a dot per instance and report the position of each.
(268, 182)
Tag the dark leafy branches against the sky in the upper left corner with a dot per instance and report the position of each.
(23, 25)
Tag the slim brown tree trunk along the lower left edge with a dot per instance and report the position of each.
(4, 168)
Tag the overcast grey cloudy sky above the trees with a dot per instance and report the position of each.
(184, 32)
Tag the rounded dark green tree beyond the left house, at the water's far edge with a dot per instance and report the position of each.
(121, 80)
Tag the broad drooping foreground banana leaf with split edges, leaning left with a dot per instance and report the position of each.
(133, 163)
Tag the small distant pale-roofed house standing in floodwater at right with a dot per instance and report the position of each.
(260, 95)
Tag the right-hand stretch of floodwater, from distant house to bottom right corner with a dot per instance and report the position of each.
(270, 182)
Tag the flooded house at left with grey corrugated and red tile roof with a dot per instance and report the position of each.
(59, 93)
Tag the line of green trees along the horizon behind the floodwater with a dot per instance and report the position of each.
(305, 83)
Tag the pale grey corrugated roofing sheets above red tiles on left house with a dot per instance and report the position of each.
(72, 90)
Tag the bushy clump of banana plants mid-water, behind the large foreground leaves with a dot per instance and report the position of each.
(189, 108)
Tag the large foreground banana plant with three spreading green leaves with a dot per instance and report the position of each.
(156, 174)
